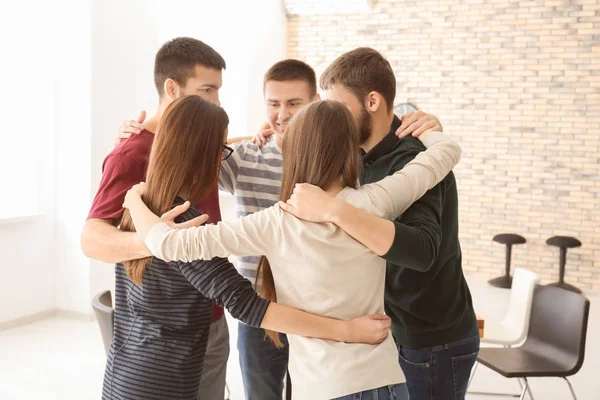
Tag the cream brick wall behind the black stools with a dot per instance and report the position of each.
(518, 84)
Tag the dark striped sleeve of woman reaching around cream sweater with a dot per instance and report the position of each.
(218, 280)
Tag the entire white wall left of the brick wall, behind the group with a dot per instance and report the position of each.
(99, 60)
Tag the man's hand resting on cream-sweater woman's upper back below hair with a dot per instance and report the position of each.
(311, 203)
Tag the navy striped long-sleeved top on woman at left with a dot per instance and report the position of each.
(161, 328)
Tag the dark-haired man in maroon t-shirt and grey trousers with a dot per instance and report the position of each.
(183, 66)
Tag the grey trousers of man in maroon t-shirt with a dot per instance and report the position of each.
(212, 383)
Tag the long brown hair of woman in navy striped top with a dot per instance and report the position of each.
(184, 161)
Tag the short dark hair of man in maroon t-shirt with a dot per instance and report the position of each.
(177, 59)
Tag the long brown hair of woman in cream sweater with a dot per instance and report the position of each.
(320, 147)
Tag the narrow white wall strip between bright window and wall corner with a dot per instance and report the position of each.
(73, 156)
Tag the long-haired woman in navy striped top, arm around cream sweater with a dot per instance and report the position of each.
(163, 309)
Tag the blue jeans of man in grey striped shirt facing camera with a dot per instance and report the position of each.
(263, 365)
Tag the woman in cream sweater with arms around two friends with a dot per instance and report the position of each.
(317, 267)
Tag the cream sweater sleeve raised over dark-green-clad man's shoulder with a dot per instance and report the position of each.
(391, 196)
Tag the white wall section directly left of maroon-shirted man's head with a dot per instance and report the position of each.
(124, 42)
